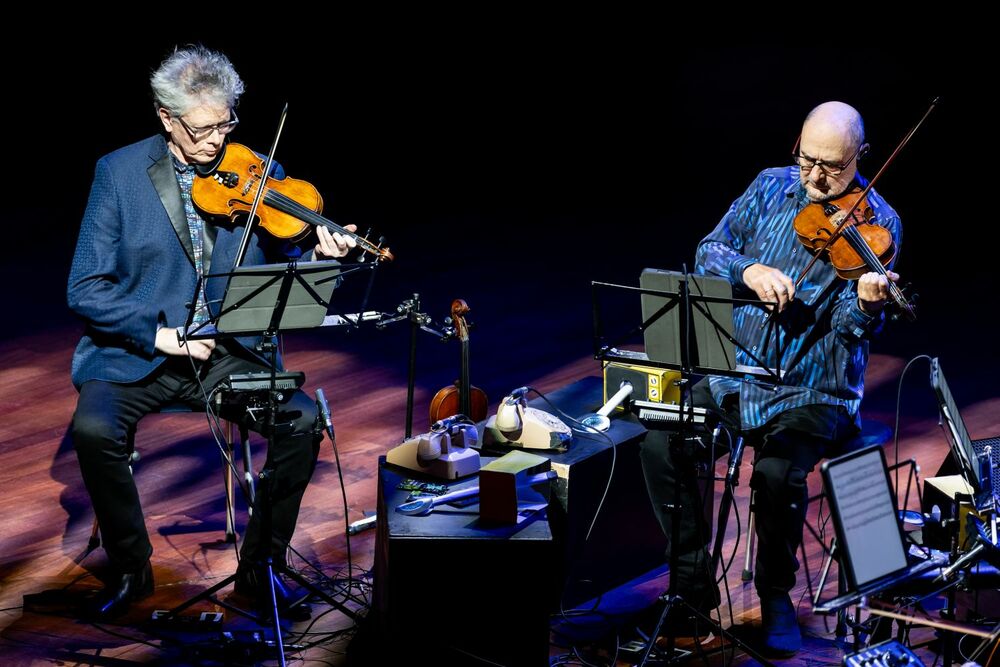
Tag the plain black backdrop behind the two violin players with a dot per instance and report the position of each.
(512, 166)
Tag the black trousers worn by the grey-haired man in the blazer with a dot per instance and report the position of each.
(106, 411)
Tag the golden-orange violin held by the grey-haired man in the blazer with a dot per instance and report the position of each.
(288, 209)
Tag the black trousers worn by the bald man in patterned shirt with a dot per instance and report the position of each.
(787, 449)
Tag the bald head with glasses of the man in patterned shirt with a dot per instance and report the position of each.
(832, 136)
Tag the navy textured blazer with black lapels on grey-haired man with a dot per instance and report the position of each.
(133, 269)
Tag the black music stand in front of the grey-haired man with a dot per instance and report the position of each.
(264, 300)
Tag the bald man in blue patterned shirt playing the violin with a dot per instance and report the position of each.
(824, 327)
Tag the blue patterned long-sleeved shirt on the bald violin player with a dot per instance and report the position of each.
(824, 354)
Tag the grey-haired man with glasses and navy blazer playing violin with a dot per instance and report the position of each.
(141, 247)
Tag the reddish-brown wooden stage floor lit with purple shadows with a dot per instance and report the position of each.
(45, 518)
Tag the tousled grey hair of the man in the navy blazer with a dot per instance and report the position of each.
(193, 76)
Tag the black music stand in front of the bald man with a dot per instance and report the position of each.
(687, 326)
